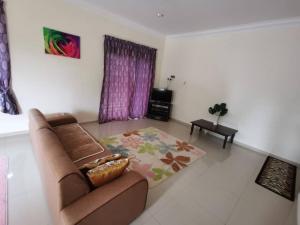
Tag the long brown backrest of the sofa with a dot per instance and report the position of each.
(63, 182)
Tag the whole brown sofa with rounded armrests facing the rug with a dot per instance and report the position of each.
(61, 145)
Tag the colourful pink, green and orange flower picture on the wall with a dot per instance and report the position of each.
(63, 44)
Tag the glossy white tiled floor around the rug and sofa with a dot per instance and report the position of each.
(218, 189)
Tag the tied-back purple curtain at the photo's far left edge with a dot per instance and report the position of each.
(7, 100)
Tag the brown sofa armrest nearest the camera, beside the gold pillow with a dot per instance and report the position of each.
(116, 203)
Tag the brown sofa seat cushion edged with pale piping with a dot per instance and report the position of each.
(78, 143)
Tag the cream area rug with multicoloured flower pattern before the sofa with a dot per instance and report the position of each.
(153, 153)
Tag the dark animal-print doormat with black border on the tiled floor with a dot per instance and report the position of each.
(278, 176)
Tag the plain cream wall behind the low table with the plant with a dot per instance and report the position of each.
(257, 73)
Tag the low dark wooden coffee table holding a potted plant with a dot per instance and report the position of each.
(219, 129)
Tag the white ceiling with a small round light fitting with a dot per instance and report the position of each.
(184, 16)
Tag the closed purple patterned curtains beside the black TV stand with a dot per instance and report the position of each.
(128, 78)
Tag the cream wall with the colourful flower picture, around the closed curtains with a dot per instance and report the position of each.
(56, 84)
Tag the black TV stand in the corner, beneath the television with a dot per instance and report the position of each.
(159, 110)
